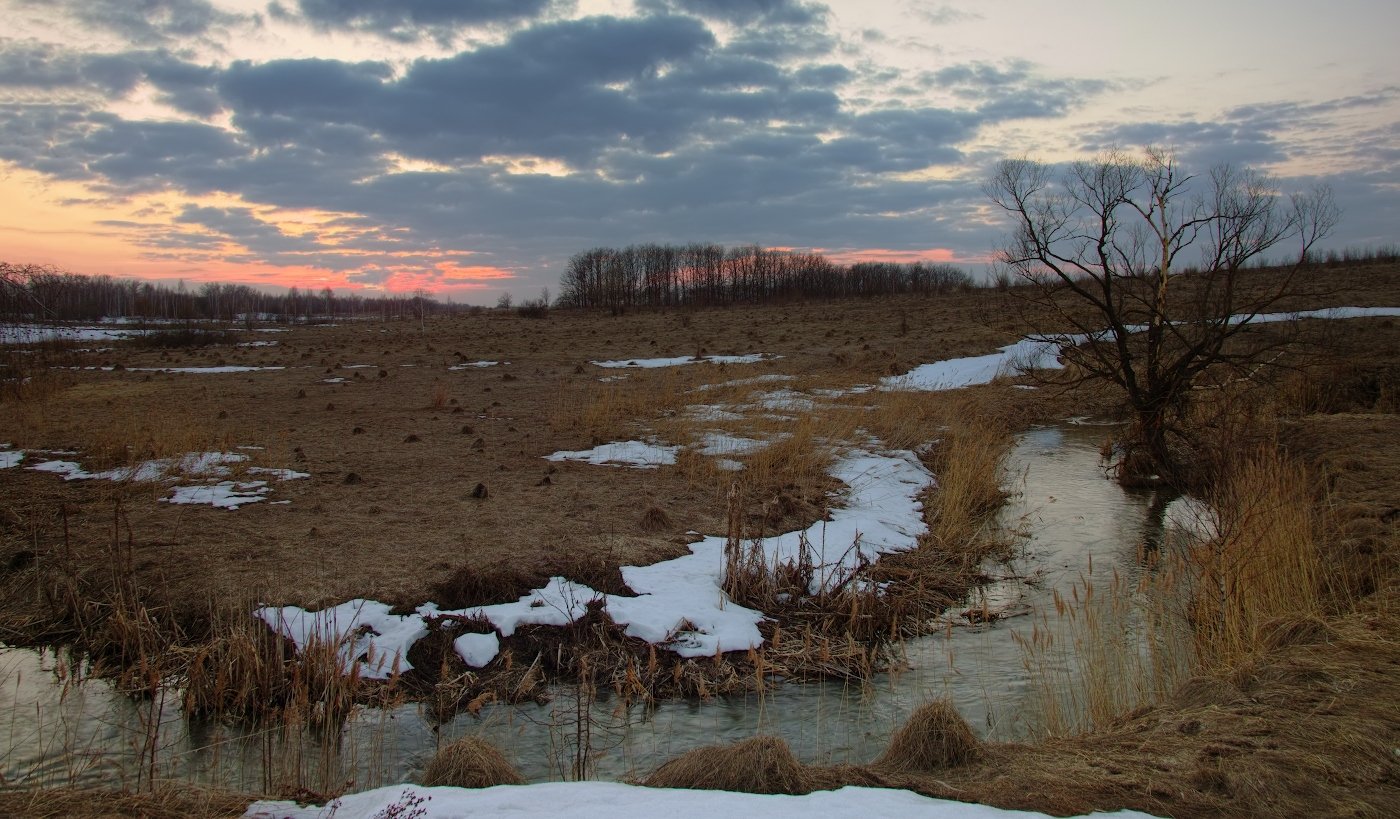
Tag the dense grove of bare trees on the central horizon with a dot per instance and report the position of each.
(713, 275)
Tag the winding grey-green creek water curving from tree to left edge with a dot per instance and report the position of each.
(1072, 514)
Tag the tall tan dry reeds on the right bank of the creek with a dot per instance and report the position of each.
(1210, 600)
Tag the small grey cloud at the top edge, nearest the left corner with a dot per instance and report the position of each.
(145, 22)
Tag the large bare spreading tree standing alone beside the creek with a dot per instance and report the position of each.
(1150, 264)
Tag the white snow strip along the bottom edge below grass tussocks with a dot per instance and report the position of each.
(611, 800)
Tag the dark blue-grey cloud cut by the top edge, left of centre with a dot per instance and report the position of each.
(409, 19)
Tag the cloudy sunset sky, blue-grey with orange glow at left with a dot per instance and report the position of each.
(470, 148)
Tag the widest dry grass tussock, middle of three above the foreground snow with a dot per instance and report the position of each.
(764, 765)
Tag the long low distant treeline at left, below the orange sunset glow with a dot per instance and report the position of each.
(41, 293)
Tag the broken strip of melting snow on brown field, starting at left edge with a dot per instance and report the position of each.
(212, 467)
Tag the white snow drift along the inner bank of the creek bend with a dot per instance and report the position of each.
(680, 604)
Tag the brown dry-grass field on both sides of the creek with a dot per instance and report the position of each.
(425, 449)
